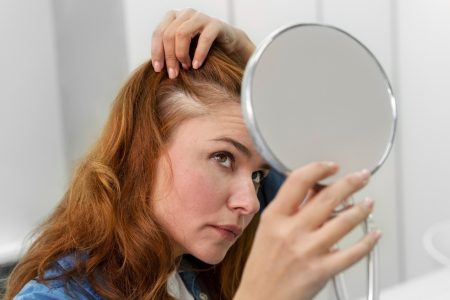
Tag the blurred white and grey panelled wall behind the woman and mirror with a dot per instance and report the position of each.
(61, 68)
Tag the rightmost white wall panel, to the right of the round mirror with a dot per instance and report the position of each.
(424, 73)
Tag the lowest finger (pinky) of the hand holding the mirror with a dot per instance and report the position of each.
(340, 260)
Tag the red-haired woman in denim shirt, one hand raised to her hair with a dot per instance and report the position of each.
(164, 206)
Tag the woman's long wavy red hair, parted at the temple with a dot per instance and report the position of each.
(106, 212)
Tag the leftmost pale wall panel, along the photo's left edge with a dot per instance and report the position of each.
(32, 162)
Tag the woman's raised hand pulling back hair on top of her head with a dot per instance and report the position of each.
(172, 38)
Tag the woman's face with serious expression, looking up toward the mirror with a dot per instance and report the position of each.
(211, 196)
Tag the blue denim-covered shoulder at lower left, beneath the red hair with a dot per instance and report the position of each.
(58, 288)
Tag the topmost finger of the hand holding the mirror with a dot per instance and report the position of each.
(298, 184)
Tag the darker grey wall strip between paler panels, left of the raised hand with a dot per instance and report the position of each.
(92, 65)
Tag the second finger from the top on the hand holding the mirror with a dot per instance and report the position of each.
(317, 212)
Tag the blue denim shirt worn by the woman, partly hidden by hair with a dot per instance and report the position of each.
(81, 289)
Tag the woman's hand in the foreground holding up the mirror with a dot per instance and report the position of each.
(292, 256)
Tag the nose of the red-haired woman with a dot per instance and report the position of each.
(243, 197)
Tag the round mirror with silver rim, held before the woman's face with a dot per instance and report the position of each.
(313, 92)
